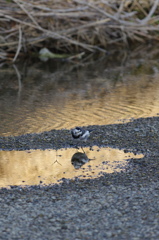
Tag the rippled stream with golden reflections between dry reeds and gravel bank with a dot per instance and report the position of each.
(61, 97)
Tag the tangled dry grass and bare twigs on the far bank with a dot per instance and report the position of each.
(74, 25)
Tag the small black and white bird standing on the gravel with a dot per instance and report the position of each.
(79, 133)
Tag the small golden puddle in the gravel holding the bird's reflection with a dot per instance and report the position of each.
(49, 166)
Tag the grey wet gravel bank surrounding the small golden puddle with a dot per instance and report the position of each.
(115, 206)
